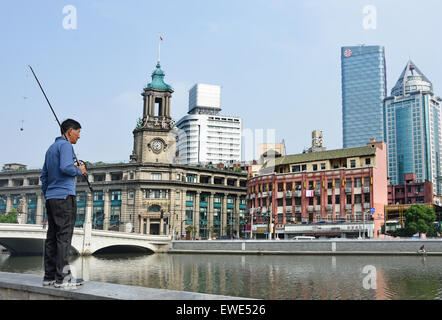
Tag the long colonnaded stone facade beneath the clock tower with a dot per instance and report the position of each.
(149, 198)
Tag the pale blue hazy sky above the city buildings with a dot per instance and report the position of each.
(278, 63)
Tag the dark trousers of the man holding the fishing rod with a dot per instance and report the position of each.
(61, 221)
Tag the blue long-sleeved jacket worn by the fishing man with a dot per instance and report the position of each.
(58, 174)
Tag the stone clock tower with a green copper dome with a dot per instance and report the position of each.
(155, 136)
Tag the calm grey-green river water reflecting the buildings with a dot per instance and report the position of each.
(264, 277)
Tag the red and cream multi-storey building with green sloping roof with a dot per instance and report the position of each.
(343, 185)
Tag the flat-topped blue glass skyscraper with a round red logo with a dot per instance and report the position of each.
(364, 87)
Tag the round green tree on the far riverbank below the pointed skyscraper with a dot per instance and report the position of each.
(419, 219)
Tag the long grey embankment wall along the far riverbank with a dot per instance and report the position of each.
(316, 247)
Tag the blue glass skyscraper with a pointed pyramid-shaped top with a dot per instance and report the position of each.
(412, 129)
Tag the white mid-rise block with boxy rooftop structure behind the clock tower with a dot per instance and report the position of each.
(204, 135)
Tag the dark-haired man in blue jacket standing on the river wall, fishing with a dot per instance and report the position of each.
(58, 186)
